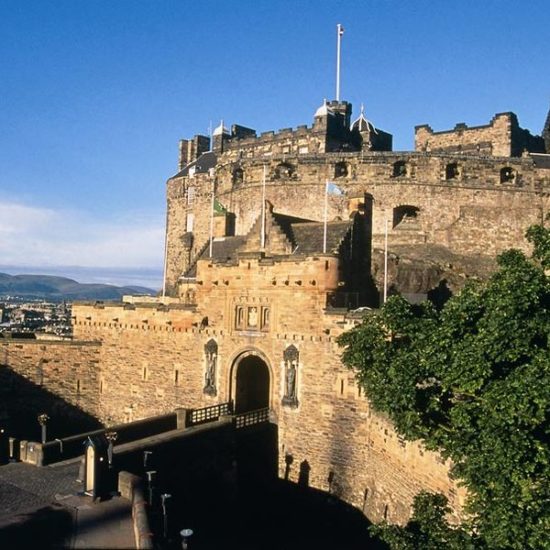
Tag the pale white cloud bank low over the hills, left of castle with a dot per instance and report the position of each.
(31, 235)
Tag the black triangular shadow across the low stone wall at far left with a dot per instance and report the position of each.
(21, 401)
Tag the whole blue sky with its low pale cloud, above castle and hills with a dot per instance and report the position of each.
(94, 96)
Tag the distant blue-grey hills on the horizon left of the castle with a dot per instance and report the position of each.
(53, 288)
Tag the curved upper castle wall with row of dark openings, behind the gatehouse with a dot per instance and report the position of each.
(486, 197)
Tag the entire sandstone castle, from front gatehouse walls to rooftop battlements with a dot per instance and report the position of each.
(272, 250)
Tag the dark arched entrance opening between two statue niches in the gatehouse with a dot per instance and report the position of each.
(252, 383)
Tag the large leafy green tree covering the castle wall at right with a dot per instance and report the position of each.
(473, 381)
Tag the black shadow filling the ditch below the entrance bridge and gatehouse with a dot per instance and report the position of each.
(256, 509)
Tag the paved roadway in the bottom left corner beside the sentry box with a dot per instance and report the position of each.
(40, 508)
